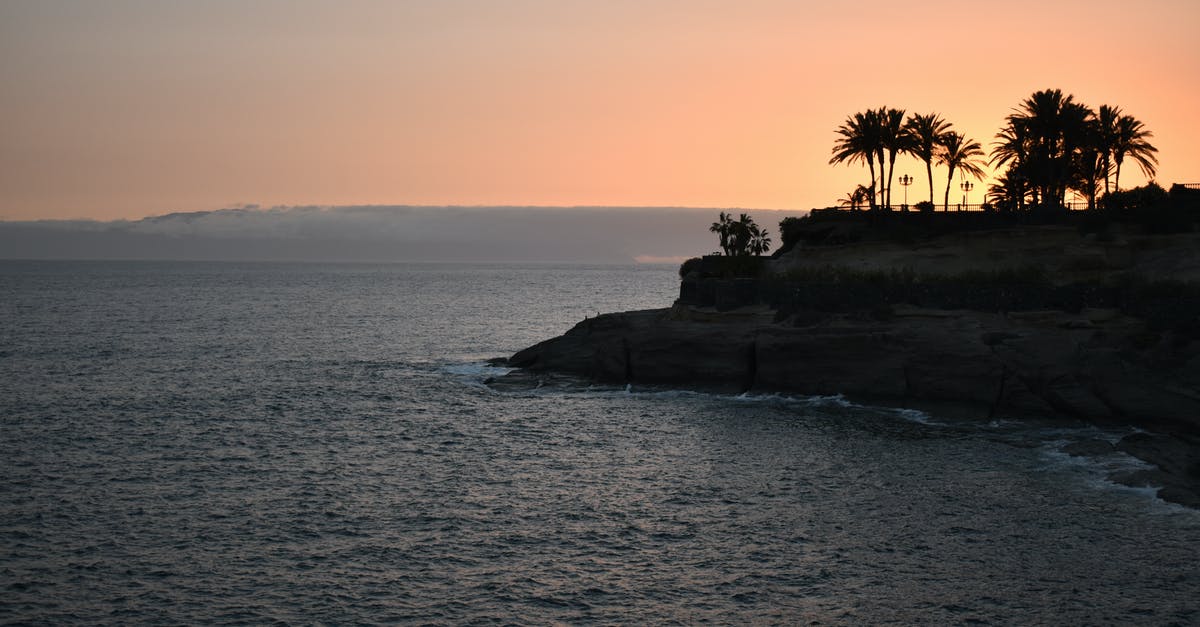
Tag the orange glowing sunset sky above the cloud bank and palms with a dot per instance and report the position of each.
(122, 110)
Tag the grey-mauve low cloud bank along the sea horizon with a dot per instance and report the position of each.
(383, 234)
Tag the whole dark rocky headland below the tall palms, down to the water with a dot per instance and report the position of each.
(999, 323)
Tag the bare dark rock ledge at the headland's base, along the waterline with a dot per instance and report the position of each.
(1097, 366)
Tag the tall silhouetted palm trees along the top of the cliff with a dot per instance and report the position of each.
(1048, 147)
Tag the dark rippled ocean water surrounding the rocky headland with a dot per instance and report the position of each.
(292, 444)
